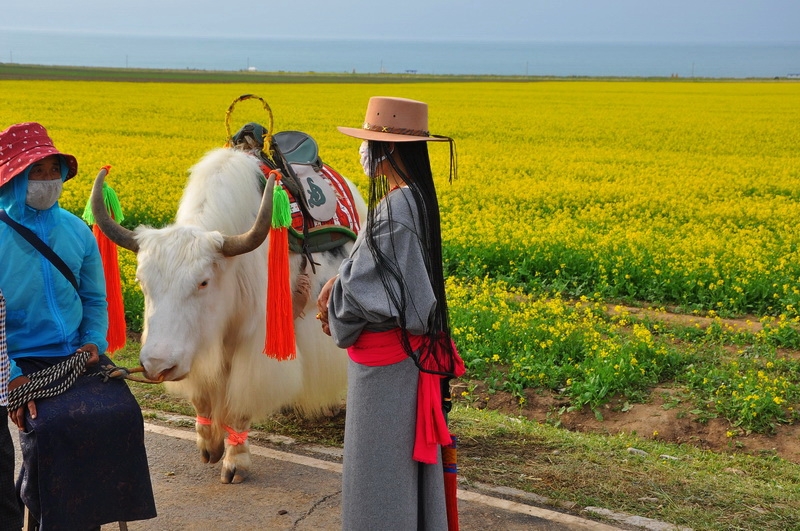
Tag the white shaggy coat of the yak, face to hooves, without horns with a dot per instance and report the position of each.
(204, 321)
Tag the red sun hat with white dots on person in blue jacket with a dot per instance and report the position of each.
(23, 144)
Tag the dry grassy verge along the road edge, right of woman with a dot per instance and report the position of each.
(679, 484)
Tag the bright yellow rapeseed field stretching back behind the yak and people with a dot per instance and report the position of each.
(675, 193)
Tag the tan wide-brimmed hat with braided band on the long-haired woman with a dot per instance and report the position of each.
(394, 120)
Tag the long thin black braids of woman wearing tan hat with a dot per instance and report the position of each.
(411, 162)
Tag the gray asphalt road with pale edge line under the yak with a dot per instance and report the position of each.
(294, 489)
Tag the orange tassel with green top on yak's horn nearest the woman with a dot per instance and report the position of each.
(280, 340)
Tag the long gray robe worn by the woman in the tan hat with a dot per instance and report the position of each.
(382, 486)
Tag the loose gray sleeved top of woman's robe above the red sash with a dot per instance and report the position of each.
(359, 300)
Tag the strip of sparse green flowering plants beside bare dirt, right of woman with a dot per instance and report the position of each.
(513, 341)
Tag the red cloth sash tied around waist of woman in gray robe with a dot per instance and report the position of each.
(378, 349)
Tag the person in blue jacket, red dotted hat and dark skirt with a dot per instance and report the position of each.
(89, 439)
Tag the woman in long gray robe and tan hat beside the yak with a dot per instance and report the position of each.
(387, 306)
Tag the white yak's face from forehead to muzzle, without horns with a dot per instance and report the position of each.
(182, 274)
